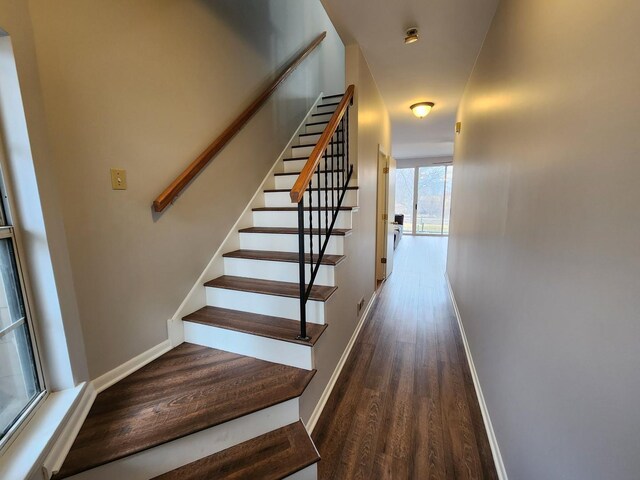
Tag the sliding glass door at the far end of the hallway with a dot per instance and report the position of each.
(429, 191)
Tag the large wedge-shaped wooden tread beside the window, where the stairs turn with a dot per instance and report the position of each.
(155, 404)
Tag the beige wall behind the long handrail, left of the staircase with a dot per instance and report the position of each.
(145, 86)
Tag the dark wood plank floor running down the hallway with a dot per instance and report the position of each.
(404, 406)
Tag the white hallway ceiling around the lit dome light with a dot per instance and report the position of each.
(435, 69)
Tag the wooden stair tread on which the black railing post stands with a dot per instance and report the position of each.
(263, 325)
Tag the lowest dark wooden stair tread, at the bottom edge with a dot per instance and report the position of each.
(272, 456)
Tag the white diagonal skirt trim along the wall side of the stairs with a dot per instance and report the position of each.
(195, 299)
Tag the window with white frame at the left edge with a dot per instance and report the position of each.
(20, 380)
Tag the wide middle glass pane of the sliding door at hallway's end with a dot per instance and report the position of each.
(429, 215)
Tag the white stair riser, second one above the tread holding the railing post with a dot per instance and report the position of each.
(276, 271)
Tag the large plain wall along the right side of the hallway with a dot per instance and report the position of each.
(544, 253)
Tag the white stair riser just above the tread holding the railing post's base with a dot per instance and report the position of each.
(273, 305)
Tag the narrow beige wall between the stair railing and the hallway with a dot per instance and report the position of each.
(355, 277)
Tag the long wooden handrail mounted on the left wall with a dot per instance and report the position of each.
(174, 189)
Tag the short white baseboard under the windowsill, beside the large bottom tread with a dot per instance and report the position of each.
(65, 439)
